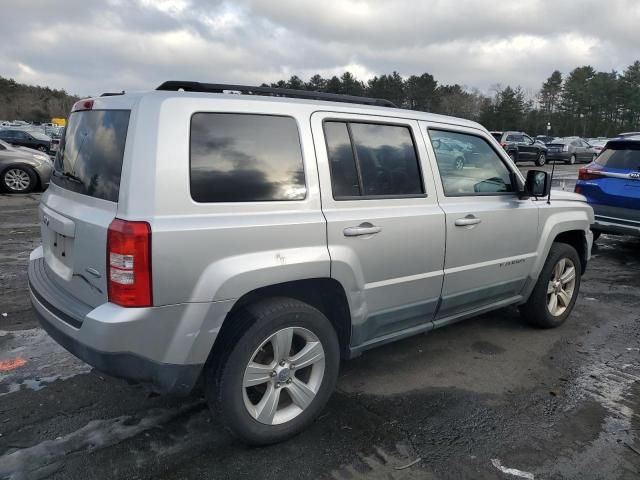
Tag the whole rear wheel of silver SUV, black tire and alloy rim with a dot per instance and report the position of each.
(278, 372)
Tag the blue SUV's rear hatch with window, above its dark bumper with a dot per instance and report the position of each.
(614, 178)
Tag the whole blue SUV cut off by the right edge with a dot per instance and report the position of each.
(611, 184)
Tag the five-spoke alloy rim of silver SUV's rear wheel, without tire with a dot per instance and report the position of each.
(283, 376)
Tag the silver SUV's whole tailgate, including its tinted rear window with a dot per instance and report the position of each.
(77, 210)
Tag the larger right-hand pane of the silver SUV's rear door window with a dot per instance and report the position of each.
(387, 159)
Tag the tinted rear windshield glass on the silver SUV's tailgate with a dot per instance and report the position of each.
(89, 160)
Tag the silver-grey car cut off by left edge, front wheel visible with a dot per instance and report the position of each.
(22, 169)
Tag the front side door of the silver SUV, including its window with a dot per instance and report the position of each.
(492, 235)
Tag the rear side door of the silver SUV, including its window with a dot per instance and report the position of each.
(385, 229)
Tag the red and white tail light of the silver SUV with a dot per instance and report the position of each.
(129, 263)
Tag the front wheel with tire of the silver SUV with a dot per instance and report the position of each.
(556, 290)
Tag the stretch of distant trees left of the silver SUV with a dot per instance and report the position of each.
(32, 103)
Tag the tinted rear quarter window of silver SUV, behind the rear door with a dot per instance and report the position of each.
(245, 158)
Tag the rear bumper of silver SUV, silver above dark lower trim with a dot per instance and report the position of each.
(154, 346)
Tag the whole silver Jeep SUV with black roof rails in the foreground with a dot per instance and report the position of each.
(254, 240)
